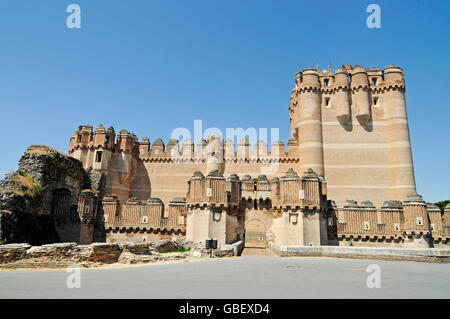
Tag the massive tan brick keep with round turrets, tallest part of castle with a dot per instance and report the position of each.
(351, 127)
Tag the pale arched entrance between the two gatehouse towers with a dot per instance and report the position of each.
(256, 226)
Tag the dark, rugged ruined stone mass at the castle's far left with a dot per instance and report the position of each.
(39, 203)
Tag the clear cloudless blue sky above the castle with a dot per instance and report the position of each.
(151, 66)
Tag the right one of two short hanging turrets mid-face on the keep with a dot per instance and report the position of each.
(360, 88)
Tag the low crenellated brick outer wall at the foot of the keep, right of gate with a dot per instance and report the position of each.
(411, 223)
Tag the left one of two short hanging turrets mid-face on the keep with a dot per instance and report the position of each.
(341, 97)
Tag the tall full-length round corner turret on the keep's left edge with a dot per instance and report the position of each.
(307, 119)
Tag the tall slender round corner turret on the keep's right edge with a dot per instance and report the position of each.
(397, 131)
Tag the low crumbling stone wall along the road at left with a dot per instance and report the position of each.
(97, 254)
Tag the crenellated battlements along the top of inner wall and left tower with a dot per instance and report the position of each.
(85, 143)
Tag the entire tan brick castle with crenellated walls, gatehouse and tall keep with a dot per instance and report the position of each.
(346, 178)
